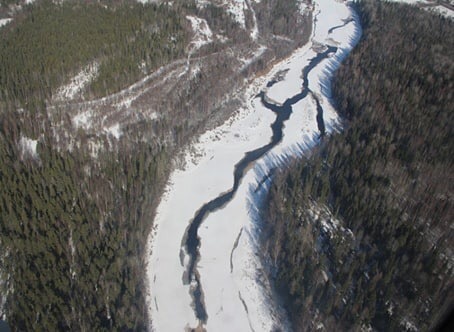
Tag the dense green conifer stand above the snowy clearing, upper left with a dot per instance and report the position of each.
(49, 40)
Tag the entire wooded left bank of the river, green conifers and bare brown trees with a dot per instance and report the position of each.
(76, 206)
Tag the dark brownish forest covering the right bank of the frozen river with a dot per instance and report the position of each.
(387, 180)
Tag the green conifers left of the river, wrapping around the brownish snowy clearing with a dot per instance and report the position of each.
(72, 230)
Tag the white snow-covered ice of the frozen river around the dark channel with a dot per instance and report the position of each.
(229, 267)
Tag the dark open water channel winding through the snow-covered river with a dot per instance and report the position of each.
(191, 241)
